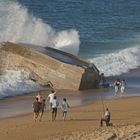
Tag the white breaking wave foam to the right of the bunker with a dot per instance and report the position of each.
(118, 62)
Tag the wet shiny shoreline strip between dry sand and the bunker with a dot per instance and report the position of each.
(16, 105)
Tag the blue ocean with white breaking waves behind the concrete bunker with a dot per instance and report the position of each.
(105, 32)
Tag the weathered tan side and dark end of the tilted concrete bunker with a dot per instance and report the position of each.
(44, 68)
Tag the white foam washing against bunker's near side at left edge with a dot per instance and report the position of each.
(16, 83)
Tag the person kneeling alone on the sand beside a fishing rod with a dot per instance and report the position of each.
(106, 118)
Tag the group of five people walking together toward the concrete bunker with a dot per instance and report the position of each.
(39, 106)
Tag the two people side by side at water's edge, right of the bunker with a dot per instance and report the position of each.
(120, 87)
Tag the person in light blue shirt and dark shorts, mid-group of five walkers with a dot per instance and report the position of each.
(55, 104)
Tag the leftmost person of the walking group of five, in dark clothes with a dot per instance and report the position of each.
(36, 108)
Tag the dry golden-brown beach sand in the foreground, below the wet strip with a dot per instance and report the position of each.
(82, 123)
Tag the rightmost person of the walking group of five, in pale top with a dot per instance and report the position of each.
(64, 108)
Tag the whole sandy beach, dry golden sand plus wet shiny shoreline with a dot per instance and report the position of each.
(86, 110)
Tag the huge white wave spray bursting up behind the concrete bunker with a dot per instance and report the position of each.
(17, 25)
